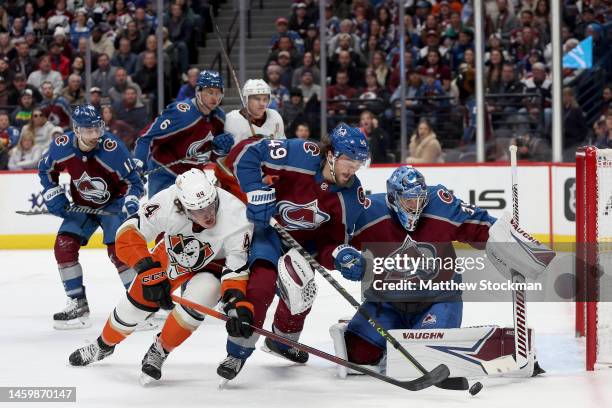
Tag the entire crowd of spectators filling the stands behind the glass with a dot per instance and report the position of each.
(43, 47)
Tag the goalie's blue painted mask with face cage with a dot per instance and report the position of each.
(407, 195)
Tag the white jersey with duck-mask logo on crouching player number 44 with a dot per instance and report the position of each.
(189, 247)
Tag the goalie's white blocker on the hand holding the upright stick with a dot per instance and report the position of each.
(509, 249)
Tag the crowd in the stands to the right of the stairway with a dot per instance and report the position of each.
(364, 72)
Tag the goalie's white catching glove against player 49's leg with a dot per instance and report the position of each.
(296, 282)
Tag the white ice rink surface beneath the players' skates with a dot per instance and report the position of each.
(34, 354)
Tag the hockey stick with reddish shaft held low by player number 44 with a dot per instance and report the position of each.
(414, 385)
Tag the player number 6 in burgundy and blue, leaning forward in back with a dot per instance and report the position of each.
(191, 129)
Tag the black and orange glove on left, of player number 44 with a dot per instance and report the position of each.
(155, 285)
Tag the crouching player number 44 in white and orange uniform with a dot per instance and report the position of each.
(202, 225)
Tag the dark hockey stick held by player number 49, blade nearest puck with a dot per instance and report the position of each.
(438, 376)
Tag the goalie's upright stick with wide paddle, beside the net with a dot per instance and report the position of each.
(519, 297)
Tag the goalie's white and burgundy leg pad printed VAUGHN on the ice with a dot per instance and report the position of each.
(470, 352)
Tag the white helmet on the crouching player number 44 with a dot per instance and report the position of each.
(195, 191)
